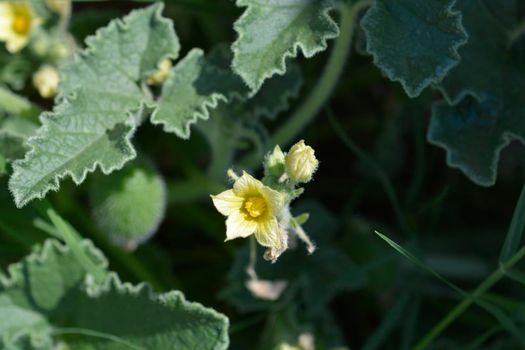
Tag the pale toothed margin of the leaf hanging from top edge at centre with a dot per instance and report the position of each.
(290, 53)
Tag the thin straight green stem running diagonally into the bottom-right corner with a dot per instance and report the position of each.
(490, 281)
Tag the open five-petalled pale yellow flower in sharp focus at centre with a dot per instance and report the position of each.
(252, 208)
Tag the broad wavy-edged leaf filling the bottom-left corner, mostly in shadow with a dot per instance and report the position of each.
(47, 294)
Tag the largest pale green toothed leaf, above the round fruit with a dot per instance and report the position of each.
(100, 104)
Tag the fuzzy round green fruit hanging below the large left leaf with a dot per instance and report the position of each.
(128, 205)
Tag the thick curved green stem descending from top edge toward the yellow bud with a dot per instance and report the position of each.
(305, 113)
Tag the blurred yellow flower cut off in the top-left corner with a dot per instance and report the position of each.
(17, 20)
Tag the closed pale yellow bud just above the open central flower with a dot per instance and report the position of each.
(300, 162)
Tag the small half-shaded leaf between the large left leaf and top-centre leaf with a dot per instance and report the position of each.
(195, 85)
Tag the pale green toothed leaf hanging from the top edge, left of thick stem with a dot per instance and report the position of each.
(271, 31)
